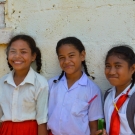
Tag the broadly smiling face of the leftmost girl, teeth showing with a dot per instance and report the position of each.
(20, 56)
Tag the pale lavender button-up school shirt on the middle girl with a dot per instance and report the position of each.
(70, 110)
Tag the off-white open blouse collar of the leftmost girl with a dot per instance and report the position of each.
(30, 78)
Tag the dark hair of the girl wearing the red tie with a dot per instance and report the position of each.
(126, 53)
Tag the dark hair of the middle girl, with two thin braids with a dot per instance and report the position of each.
(78, 45)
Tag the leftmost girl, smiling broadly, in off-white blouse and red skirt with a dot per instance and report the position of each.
(23, 92)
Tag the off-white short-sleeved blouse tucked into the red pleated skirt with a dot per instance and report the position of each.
(27, 101)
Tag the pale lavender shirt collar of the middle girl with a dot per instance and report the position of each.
(82, 81)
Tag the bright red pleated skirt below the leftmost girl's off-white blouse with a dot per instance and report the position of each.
(29, 127)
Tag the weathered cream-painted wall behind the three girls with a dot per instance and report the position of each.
(99, 24)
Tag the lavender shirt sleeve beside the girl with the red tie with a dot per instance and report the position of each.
(96, 106)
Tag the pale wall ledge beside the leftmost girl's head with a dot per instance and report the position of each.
(5, 35)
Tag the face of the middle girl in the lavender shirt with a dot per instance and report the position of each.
(70, 59)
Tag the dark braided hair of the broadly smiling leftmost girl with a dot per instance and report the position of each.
(31, 43)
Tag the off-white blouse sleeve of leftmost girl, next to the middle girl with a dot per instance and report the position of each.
(42, 106)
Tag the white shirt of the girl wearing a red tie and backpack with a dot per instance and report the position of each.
(109, 107)
